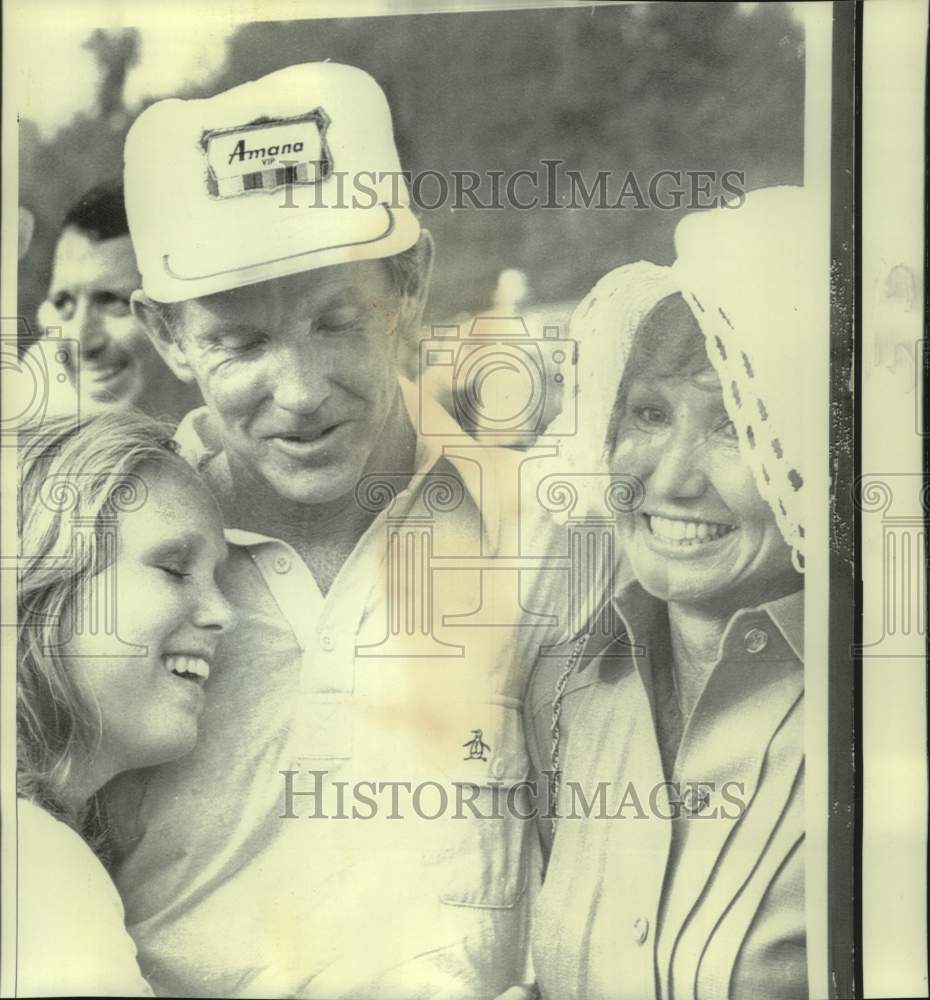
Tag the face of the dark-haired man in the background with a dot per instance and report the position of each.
(88, 299)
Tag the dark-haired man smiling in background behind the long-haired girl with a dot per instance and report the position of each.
(110, 361)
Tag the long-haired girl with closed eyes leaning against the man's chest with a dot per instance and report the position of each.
(108, 679)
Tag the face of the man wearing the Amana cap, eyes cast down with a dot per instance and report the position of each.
(300, 373)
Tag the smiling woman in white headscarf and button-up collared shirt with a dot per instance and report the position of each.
(690, 681)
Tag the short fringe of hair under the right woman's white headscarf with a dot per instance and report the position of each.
(668, 342)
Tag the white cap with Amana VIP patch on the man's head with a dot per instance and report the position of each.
(294, 171)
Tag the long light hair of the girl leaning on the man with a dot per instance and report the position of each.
(67, 471)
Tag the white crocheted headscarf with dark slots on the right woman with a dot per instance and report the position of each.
(755, 278)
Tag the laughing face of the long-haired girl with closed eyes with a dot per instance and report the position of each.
(144, 678)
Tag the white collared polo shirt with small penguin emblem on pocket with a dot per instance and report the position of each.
(351, 822)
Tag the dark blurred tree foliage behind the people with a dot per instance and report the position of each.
(670, 86)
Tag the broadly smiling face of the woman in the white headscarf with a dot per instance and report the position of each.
(703, 535)
